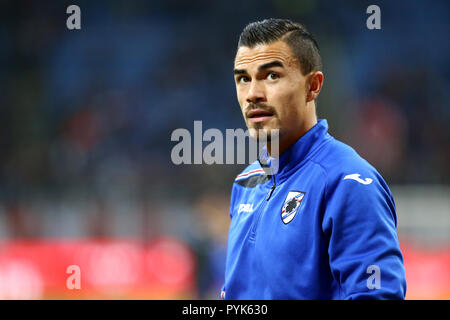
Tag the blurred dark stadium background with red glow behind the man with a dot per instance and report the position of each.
(86, 116)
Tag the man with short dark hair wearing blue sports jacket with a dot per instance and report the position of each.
(323, 226)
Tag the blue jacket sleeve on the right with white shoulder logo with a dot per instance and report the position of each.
(360, 224)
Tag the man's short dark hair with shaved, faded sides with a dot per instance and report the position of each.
(302, 43)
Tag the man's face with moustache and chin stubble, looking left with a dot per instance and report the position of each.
(271, 88)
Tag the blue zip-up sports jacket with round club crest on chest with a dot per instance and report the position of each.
(322, 227)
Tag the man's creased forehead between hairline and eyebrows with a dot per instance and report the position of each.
(247, 57)
